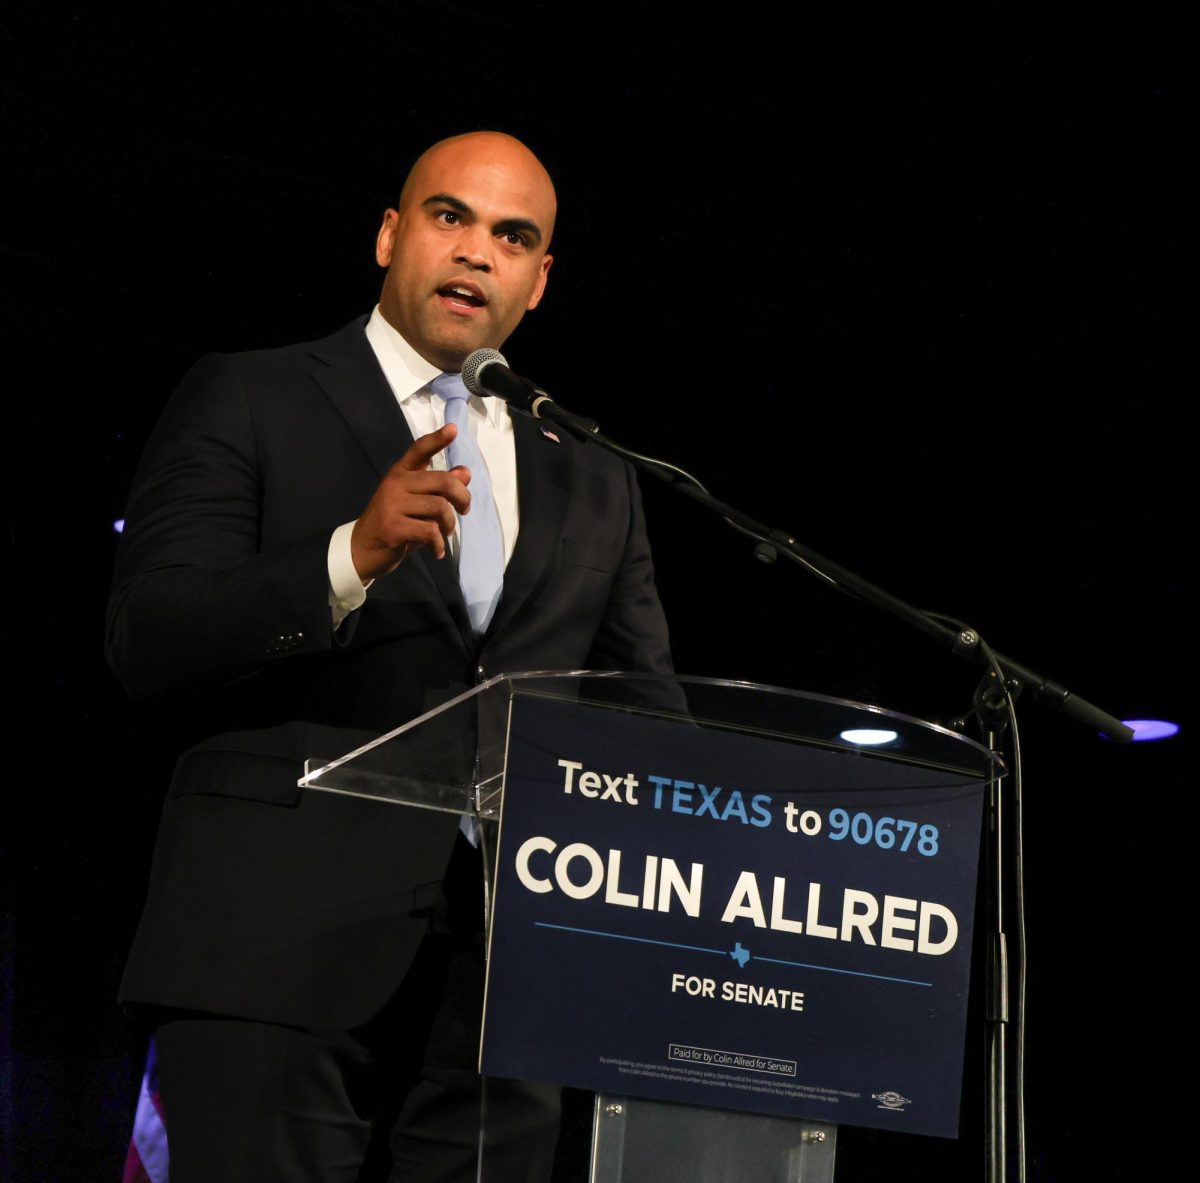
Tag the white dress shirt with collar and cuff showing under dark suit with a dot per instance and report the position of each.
(410, 376)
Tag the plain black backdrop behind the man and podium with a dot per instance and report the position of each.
(916, 289)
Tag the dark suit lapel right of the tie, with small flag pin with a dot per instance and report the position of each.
(544, 475)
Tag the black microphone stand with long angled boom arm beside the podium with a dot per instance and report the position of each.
(994, 707)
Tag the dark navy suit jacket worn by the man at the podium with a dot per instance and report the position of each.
(269, 902)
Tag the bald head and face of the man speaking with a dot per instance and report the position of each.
(466, 251)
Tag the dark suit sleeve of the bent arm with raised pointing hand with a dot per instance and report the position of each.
(196, 600)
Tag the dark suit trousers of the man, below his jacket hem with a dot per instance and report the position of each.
(399, 1100)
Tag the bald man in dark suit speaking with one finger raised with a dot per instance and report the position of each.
(325, 542)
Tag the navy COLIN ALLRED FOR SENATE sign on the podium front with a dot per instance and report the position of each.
(730, 921)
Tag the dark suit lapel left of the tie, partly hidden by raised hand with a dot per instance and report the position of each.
(346, 369)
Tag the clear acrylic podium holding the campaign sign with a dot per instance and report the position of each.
(454, 760)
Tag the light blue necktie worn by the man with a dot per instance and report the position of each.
(481, 545)
